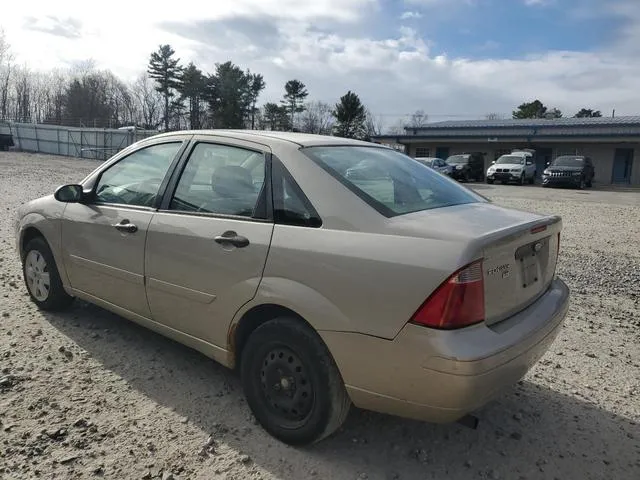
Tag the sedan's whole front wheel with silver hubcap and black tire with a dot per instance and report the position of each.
(42, 278)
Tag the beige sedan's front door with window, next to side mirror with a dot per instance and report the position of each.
(104, 237)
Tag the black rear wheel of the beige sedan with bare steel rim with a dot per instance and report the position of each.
(286, 350)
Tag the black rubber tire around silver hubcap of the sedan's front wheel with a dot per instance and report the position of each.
(56, 298)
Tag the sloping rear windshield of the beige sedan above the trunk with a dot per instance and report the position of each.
(389, 181)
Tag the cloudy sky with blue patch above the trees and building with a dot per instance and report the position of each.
(450, 58)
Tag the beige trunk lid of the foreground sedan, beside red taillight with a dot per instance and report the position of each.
(518, 249)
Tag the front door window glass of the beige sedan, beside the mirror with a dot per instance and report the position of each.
(136, 179)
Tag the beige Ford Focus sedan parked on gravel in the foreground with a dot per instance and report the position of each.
(322, 289)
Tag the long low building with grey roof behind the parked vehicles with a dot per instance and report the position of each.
(613, 143)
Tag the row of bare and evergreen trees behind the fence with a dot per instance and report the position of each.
(172, 96)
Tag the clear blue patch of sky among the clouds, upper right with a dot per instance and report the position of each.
(508, 28)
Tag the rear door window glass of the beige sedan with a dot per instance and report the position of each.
(221, 179)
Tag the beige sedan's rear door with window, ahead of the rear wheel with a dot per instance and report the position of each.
(208, 243)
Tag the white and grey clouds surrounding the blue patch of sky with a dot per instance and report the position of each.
(314, 41)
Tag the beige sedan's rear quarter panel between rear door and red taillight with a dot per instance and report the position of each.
(353, 281)
